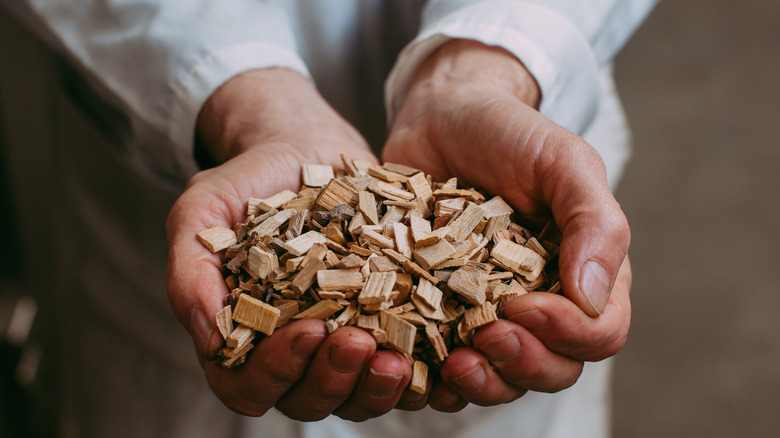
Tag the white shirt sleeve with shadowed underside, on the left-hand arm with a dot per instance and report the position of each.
(162, 59)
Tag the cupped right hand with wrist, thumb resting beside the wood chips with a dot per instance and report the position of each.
(470, 113)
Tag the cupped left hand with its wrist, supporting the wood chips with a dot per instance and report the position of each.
(262, 125)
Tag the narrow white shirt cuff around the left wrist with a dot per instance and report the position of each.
(193, 88)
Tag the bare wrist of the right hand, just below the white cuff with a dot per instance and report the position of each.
(462, 63)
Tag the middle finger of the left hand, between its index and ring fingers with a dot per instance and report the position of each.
(331, 377)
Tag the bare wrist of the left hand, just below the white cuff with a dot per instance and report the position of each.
(274, 106)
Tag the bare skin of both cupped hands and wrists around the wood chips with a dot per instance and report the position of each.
(262, 125)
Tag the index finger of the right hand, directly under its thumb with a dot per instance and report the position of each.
(565, 329)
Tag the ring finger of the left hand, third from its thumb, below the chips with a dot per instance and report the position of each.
(380, 388)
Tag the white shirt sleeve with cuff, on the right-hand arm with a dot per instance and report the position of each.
(563, 43)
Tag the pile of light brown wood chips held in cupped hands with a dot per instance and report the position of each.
(419, 265)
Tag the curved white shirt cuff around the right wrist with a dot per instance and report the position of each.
(551, 48)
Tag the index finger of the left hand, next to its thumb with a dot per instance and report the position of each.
(276, 364)
